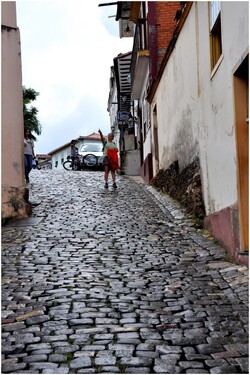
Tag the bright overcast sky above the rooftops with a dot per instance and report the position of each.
(67, 49)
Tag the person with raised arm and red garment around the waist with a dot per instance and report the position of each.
(110, 161)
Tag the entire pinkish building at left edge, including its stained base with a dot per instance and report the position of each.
(14, 193)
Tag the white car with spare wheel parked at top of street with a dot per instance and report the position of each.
(92, 154)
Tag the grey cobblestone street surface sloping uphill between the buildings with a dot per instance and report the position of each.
(119, 281)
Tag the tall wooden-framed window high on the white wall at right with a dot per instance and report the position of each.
(215, 32)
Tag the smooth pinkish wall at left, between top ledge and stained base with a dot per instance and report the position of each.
(12, 111)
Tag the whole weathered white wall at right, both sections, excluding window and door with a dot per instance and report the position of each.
(195, 111)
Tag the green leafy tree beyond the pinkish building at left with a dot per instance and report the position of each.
(30, 113)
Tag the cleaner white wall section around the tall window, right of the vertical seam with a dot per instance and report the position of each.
(216, 128)
